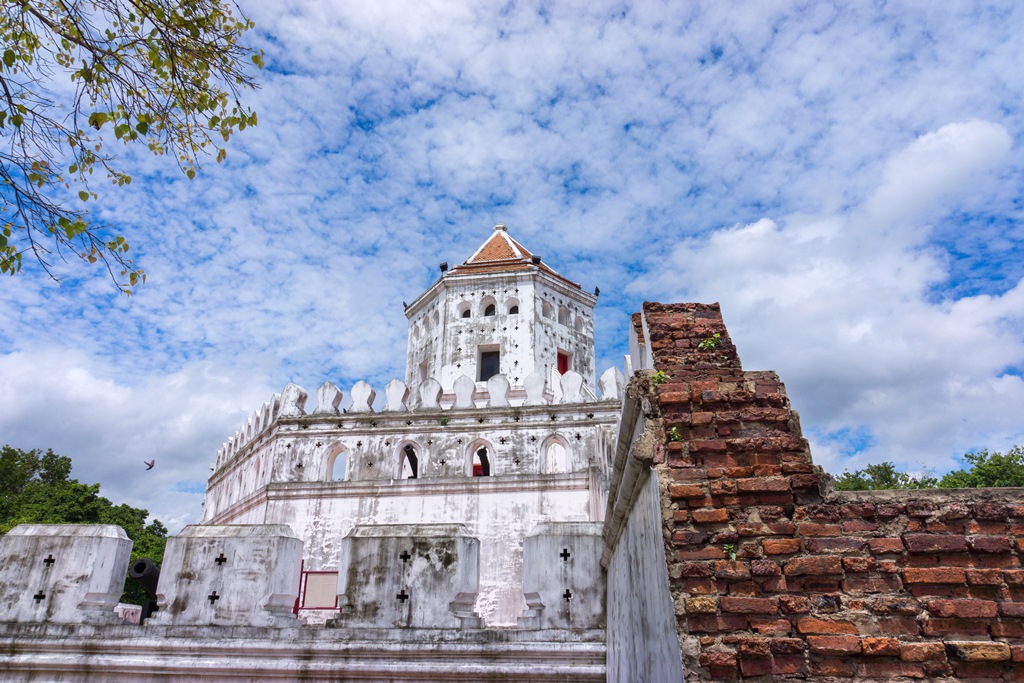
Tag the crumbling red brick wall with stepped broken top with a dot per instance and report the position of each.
(824, 585)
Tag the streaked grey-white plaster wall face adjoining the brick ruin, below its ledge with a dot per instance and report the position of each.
(643, 644)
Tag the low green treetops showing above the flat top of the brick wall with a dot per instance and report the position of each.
(987, 471)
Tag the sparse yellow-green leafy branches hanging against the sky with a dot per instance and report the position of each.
(79, 78)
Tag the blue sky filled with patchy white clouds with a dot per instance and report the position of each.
(846, 181)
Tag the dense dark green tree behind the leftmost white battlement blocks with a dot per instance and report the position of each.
(36, 489)
